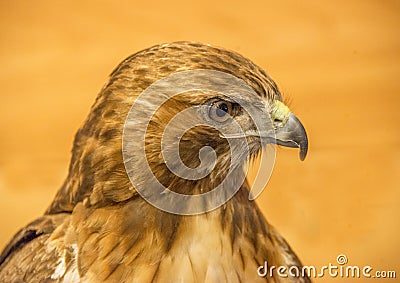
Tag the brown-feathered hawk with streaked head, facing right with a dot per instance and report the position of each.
(100, 229)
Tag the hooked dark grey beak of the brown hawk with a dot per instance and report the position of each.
(292, 134)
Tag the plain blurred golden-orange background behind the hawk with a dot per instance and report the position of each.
(338, 62)
